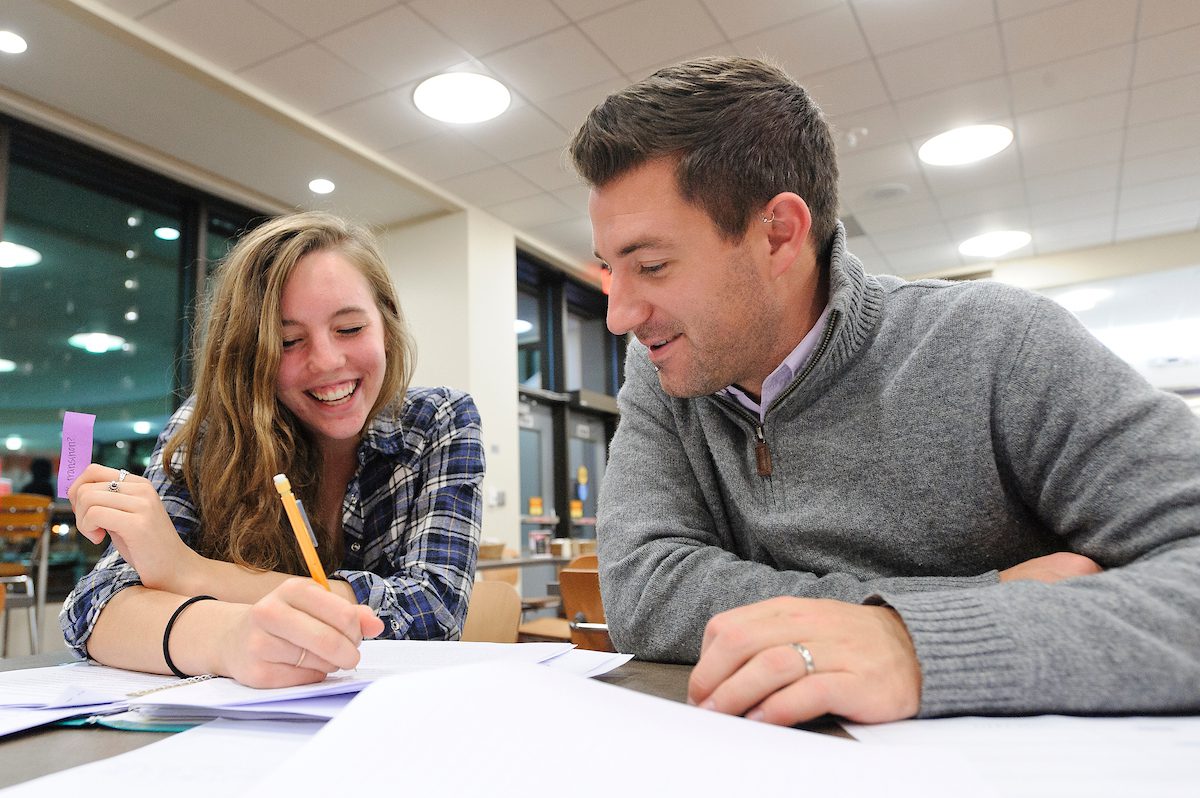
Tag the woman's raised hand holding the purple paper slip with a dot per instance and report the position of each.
(129, 511)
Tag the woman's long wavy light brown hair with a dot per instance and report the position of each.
(239, 435)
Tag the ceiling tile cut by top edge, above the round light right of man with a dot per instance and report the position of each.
(892, 26)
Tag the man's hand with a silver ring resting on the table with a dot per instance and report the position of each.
(867, 668)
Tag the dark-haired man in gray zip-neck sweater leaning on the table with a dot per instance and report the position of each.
(855, 495)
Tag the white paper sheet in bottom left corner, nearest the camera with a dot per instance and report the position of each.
(181, 766)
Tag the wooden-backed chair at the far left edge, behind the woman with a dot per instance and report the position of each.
(23, 518)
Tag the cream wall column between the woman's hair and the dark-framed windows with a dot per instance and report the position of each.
(457, 278)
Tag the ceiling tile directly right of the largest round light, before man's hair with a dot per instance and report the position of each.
(577, 64)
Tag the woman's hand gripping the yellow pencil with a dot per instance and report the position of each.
(297, 634)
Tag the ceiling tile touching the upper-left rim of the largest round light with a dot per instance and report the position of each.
(395, 47)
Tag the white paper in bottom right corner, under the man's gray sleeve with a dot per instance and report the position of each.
(1058, 755)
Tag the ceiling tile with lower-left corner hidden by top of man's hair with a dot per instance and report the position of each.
(815, 44)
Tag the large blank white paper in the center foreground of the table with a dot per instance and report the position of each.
(641, 745)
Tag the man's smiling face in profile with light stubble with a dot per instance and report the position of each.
(701, 304)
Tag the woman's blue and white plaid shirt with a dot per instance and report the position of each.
(411, 521)
